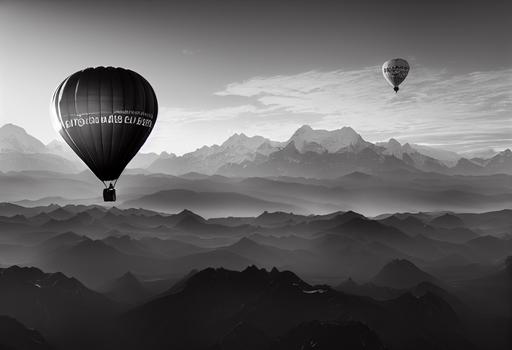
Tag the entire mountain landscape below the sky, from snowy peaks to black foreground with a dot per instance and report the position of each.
(334, 241)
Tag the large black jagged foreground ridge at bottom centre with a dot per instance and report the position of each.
(279, 305)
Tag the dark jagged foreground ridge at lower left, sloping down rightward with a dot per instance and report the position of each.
(61, 308)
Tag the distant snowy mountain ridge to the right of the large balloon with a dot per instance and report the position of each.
(324, 154)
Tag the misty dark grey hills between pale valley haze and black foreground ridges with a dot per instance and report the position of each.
(97, 245)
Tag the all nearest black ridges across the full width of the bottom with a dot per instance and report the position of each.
(252, 308)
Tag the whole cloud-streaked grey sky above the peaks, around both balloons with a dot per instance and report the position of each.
(268, 67)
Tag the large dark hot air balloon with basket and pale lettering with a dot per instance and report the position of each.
(105, 115)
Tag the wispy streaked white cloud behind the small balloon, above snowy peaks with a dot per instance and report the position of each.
(433, 106)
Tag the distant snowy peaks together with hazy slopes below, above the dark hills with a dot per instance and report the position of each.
(315, 172)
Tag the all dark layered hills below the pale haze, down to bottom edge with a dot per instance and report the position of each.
(95, 277)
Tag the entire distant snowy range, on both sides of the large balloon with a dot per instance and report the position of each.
(307, 153)
